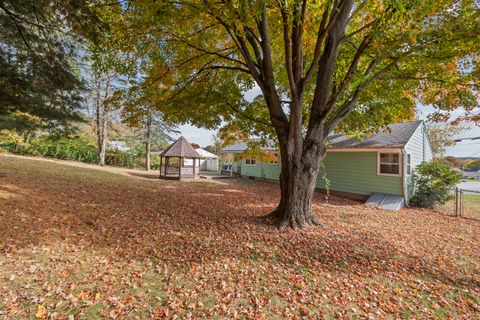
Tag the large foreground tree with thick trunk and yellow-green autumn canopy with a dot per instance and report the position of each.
(320, 66)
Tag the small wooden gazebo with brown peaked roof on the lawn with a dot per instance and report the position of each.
(179, 161)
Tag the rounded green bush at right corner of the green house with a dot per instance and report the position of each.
(434, 181)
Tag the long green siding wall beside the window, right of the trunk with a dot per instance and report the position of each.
(356, 172)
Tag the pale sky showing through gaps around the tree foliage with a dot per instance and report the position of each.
(203, 137)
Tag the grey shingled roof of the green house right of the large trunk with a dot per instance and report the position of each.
(397, 135)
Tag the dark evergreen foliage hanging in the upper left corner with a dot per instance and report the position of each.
(38, 54)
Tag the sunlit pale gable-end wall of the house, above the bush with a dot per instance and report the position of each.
(420, 150)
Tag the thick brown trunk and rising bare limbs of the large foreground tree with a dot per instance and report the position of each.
(301, 150)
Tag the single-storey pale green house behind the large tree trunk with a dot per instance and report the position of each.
(381, 163)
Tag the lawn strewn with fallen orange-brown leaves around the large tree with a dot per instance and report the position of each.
(79, 243)
